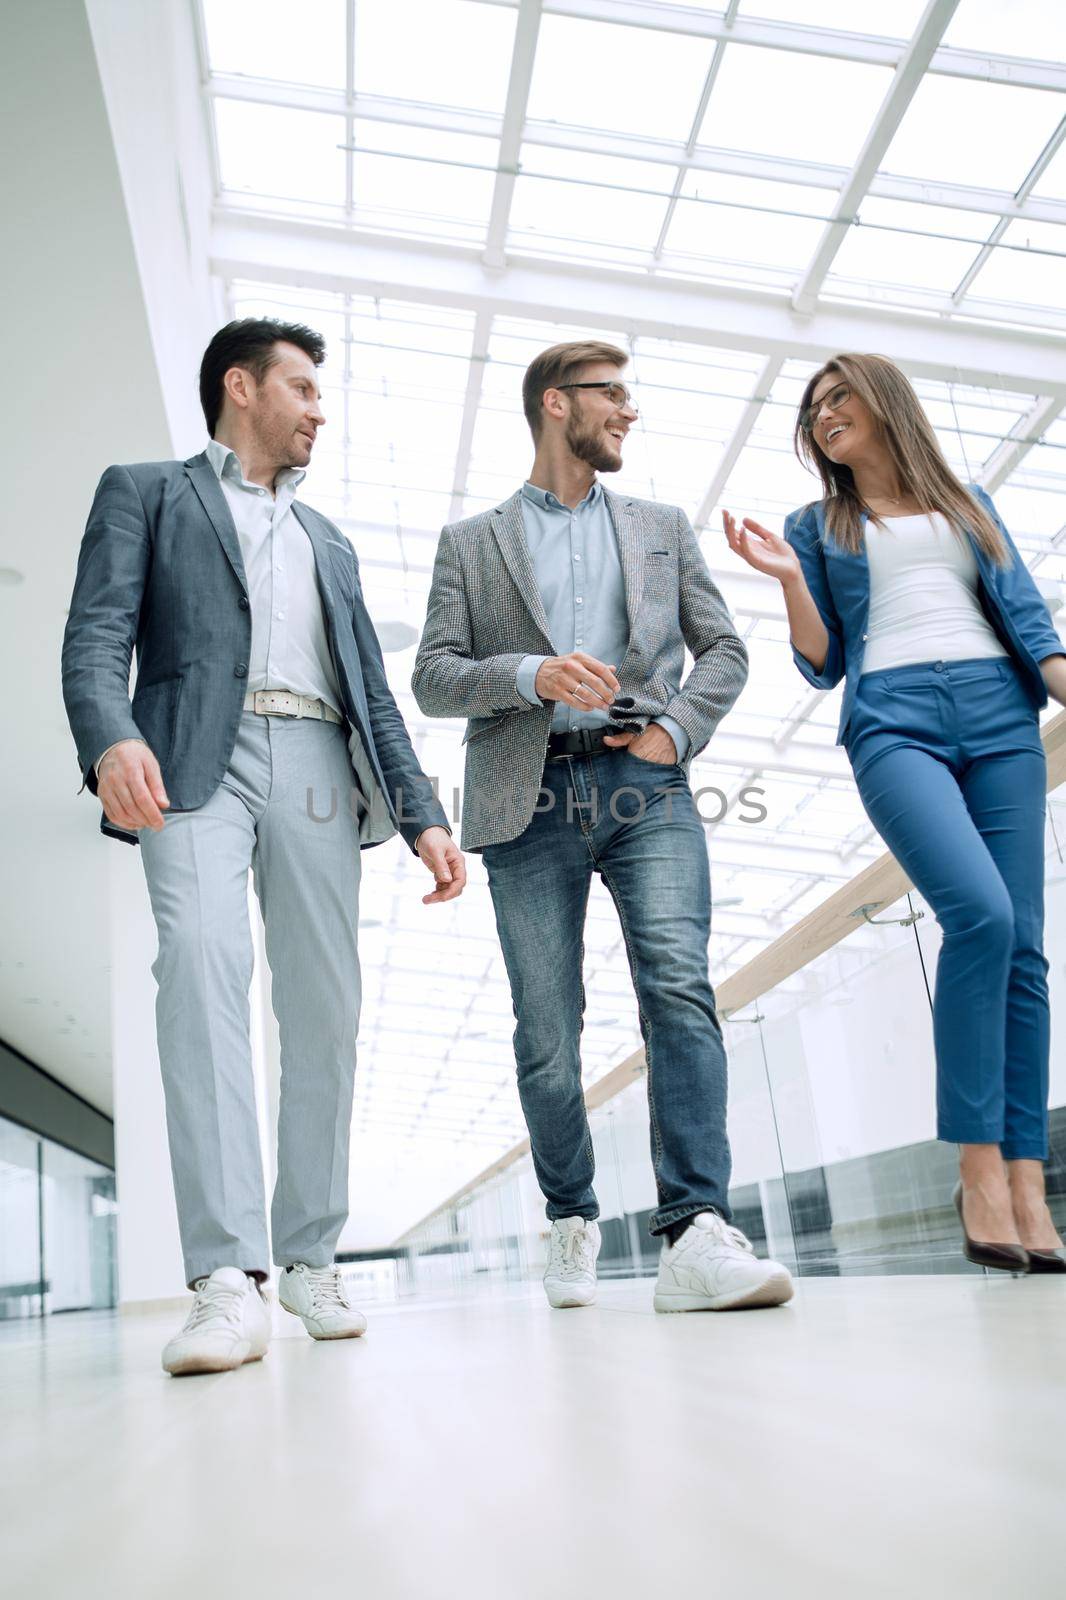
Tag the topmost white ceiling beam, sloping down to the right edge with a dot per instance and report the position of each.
(808, 41)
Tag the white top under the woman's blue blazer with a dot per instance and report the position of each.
(923, 596)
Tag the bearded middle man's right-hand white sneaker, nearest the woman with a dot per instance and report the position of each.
(715, 1268)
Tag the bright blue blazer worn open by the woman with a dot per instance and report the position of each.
(840, 585)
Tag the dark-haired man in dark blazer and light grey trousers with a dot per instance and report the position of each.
(262, 737)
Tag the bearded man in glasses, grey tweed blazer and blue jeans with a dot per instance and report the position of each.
(558, 626)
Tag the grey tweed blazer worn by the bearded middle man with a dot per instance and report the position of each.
(486, 614)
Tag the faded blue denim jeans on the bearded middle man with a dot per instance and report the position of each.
(636, 825)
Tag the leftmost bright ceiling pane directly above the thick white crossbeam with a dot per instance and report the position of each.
(289, 156)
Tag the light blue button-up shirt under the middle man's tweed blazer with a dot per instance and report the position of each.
(580, 577)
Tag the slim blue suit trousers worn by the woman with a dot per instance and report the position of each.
(950, 767)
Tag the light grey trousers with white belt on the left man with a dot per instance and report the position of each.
(273, 814)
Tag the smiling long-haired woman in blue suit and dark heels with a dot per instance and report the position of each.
(905, 583)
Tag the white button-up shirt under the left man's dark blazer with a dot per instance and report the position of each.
(289, 638)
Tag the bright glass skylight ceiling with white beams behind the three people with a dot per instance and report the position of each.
(700, 159)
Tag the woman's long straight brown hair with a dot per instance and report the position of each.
(918, 458)
